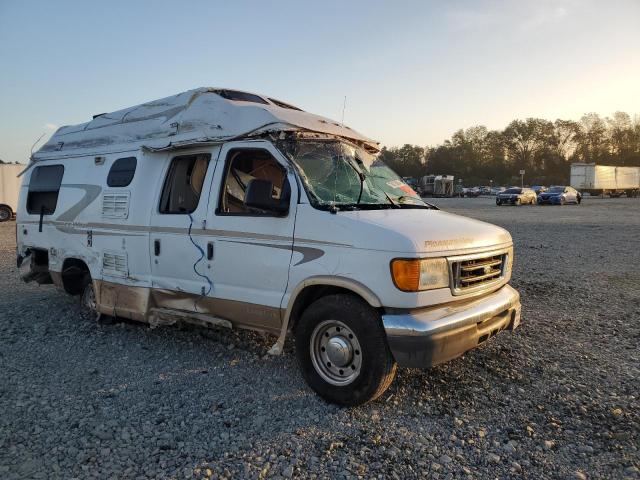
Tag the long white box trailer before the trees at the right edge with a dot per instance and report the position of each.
(602, 179)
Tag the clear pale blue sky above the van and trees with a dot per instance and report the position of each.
(412, 71)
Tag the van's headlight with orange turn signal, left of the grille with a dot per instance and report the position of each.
(413, 275)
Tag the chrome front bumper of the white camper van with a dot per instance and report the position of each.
(427, 337)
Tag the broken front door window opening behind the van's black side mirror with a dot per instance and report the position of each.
(242, 167)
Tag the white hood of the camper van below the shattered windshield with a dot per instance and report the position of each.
(416, 231)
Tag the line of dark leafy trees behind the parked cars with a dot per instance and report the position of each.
(544, 149)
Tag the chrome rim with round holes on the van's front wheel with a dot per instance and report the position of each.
(335, 352)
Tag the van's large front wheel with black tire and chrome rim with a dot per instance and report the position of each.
(342, 350)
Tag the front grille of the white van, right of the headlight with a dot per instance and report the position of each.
(475, 273)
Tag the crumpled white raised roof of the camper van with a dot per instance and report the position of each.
(199, 115)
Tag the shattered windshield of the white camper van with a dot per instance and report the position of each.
(339, 174)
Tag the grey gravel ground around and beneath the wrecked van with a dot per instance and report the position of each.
(557, 399)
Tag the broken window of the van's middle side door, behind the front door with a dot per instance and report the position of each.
(183, 185)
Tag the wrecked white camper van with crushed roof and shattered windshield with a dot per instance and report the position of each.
(226, 208)
